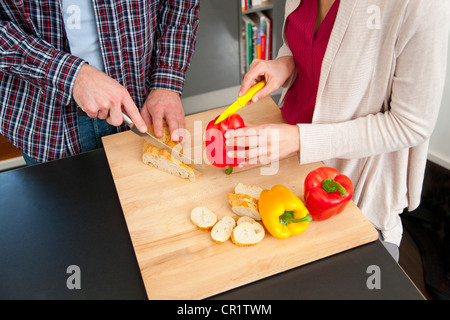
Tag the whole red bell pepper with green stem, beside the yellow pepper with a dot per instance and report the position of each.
(327, 192)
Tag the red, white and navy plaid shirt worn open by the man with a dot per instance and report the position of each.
(145, 45)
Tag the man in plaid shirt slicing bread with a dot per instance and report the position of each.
(69, 68)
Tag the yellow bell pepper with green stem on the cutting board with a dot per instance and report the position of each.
(282, 212)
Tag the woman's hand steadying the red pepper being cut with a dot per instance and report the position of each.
(263, 143)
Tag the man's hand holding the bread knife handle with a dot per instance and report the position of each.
(101, 96)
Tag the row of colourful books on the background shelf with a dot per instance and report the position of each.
(256, 40)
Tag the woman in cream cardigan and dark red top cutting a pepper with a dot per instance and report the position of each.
(363, 82)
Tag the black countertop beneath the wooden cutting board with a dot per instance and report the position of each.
(67, 213)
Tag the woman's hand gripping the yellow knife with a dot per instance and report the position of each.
(274, 72)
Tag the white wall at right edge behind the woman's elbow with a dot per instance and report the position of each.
(439, 151)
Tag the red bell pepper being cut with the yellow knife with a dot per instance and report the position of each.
(216, 150)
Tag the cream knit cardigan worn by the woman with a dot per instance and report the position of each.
(379, 95)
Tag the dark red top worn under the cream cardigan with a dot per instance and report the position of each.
(308, 50)
